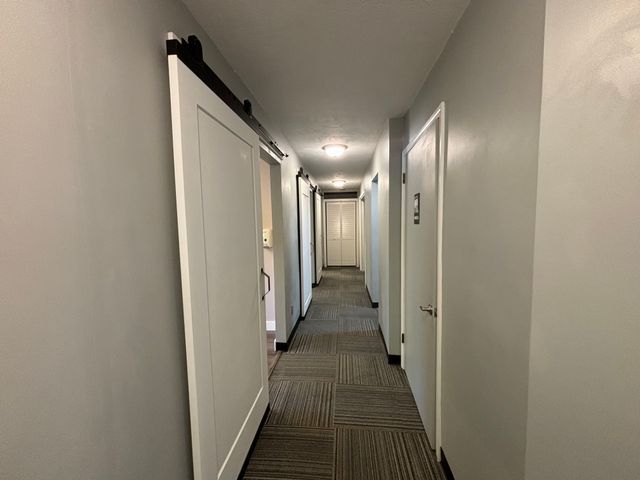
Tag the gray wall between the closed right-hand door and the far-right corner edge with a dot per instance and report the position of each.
(490, 76)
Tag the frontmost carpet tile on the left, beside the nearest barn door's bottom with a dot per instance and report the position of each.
(292, 453)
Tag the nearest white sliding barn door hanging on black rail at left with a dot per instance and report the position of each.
(216, 158)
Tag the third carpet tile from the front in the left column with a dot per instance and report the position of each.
(305, 367)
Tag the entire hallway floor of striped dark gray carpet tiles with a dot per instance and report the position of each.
(338, 409)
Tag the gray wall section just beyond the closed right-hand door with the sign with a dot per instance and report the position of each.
(387, 164)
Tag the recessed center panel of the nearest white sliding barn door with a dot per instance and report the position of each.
(233, 288)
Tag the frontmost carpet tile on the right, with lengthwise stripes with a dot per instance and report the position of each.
(384, 455)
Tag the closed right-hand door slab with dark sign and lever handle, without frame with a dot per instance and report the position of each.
(421, 227)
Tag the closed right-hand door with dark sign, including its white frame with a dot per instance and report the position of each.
(421, 316)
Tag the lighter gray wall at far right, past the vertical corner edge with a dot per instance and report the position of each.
(584, 395)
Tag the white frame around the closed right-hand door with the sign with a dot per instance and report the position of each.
(438, 116)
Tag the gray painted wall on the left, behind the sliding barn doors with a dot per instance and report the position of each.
(92, 361)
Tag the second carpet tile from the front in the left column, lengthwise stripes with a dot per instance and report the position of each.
(301, 404)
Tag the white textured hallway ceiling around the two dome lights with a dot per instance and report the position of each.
(331, 71)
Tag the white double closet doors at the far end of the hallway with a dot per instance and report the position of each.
(341, 233)
